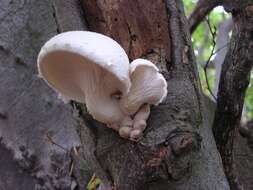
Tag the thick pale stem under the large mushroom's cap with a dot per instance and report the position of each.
(100, 104)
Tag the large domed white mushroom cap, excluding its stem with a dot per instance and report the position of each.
(78, 50)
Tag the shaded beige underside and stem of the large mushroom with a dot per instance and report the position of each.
(80, 79)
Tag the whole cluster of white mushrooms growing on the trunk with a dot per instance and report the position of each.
(92, 68)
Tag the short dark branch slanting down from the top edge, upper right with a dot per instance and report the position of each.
(202, 9)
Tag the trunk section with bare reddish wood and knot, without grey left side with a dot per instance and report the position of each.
(168, 155)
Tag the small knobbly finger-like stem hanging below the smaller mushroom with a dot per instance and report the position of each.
(139, 122)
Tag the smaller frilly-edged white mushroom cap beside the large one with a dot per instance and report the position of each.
(148, 86)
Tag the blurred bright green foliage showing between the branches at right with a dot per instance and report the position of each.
(202, 44)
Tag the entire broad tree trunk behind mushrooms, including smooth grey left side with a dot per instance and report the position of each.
(171, 154)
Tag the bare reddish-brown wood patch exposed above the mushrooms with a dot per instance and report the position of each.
(125, 21)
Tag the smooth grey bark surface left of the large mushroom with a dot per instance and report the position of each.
(29, 109)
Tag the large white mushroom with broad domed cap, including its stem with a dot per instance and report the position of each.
(89, 68)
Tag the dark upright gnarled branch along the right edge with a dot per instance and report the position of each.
(234, 81)
